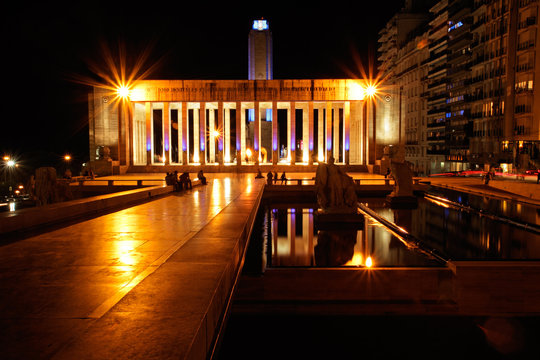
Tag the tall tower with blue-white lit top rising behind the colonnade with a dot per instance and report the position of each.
(260, 52)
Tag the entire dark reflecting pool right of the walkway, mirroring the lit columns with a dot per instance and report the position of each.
(291, 236)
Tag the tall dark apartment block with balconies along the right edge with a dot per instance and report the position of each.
(482, 109)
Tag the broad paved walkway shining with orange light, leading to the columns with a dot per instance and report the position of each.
(147, 282)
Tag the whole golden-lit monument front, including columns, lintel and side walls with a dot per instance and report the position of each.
(166, 125)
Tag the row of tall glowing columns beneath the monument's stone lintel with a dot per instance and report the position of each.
(248, 132)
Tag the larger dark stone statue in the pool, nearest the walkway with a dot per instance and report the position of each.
(335, 189)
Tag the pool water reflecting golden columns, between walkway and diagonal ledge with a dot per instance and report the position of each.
(294, 239)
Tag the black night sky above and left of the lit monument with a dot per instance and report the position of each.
(45, 46)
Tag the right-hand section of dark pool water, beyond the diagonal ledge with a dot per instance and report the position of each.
(462, 235)
